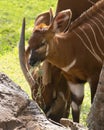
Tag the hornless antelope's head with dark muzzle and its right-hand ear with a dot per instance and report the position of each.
(40, 41)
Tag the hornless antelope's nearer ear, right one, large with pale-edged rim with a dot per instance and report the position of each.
(60, 19)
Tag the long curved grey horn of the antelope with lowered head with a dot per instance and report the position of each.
(27, 75)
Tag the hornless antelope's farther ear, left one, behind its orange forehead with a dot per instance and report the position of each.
(44, 18)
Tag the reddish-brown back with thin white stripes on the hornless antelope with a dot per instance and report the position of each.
(89, 27)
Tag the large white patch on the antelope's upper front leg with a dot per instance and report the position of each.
(77, 89)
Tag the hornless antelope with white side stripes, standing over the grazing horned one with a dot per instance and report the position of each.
(64, 50)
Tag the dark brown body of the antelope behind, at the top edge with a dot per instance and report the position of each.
(77, 7)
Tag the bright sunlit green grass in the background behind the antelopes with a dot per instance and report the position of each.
(11, 15)
